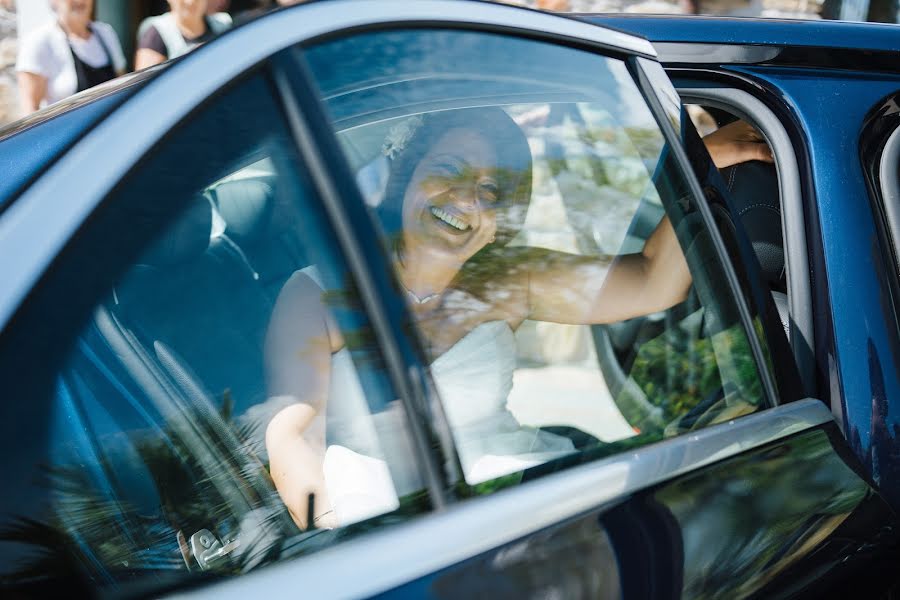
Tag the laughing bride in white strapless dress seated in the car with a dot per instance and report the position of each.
(457, 193)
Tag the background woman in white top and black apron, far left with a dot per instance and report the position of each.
(71, 54)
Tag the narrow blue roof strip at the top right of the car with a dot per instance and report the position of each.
(749, 31)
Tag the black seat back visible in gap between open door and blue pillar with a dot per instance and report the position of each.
(754, 195)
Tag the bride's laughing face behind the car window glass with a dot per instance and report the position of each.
(450, 204)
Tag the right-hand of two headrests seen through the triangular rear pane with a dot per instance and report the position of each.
(246, 206)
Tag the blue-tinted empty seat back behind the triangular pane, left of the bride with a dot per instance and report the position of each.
(199, 309)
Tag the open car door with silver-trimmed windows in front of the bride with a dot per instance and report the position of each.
(692, 481)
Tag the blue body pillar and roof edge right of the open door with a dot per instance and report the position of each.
(775, 75)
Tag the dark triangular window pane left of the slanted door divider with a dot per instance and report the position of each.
(173, 444)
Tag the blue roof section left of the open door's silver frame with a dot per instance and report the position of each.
(31, 144)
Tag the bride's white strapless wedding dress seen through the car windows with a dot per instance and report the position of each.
(367, 464)
